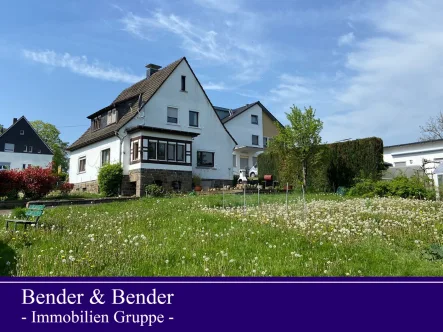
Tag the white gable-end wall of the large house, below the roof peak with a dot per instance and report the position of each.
(212, 135)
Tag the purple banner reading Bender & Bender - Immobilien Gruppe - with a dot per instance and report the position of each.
(220, 304)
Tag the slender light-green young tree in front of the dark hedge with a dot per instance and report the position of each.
(298, 142)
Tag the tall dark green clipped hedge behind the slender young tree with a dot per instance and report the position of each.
(337, 165)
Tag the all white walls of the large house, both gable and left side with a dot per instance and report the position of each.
(212, 135)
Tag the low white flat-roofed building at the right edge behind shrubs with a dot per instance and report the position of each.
(413, 158)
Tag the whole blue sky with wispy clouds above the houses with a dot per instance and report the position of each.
(369, 68)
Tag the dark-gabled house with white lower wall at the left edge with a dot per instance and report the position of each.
(21, 147)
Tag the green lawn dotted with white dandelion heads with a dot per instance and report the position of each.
(197, 236)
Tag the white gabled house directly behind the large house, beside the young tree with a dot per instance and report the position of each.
(252, 126)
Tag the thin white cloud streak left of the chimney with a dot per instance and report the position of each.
(81, 66)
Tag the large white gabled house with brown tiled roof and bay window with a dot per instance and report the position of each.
(162, 130)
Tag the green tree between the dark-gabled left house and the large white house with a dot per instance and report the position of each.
(51, 135)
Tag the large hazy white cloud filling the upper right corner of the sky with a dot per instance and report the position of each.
(397, 74)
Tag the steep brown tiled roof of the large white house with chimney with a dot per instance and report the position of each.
(139, 94)
